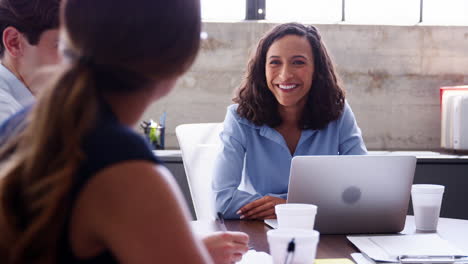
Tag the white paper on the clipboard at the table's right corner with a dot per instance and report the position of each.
(388, 248)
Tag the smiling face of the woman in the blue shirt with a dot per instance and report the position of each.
(289, 70)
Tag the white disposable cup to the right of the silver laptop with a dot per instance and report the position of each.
(427, 201)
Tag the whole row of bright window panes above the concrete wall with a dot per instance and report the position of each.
(389, 12)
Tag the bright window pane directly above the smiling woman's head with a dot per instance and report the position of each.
(304, 10)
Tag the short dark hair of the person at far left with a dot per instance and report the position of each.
(30, 17)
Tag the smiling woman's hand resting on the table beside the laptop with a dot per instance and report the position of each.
(263, 208)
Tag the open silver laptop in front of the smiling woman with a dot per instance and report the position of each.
(354, 194)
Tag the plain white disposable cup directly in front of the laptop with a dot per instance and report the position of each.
(291, 215)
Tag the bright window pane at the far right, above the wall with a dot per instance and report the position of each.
(445, 12)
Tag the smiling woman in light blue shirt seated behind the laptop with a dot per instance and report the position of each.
(289, 104)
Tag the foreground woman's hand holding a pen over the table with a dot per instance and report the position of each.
(226, 247)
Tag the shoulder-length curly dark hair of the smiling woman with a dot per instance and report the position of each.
(325, 100)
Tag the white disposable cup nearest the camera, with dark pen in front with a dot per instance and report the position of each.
(305, 245)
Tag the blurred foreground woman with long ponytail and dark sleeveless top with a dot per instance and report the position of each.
(77, 184)
